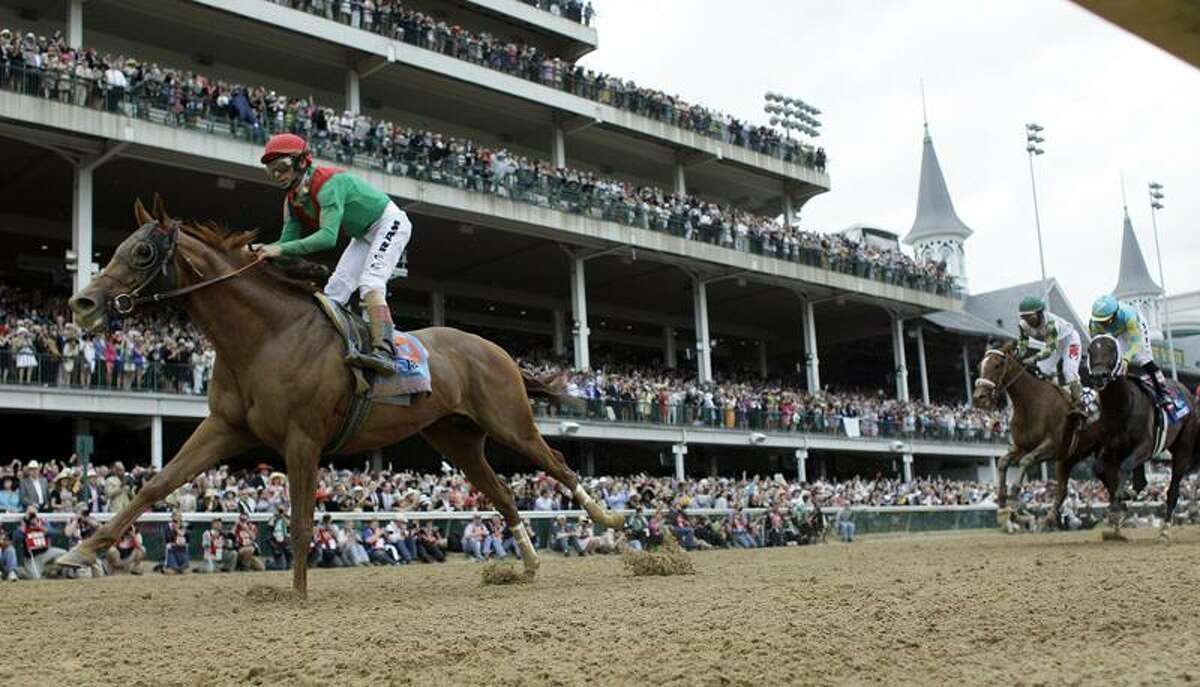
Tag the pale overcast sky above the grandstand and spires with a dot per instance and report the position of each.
(1108, 100)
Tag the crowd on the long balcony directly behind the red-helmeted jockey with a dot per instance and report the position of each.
(49, 68)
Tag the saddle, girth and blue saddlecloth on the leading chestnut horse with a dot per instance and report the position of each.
(411, 378)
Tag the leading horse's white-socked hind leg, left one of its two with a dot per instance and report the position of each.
(461, 440)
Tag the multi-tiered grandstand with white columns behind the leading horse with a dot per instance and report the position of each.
(581, 250)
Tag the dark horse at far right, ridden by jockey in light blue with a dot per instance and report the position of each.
(1127, 416)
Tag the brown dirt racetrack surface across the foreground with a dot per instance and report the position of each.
(1061, 610)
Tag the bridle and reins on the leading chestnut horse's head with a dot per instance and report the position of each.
(152, 260)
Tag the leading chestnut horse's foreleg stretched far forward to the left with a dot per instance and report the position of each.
(211, 444)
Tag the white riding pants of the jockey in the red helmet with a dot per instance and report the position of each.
(369, 262)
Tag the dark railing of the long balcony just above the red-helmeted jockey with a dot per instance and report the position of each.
(167, 105)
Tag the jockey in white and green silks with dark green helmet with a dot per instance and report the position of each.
(1058, 342)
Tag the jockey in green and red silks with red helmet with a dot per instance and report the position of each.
(325, 202)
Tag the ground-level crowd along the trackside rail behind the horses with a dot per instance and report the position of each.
(784, 512)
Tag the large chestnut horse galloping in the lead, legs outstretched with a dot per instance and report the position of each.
(280, 380)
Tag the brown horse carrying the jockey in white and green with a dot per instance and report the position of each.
(1042, 426)
